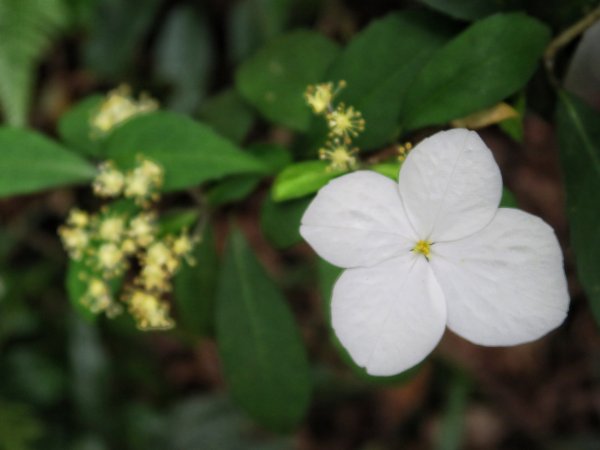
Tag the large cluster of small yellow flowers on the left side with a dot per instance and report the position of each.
(124, 239)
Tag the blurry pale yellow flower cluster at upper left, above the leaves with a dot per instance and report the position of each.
(118, 107)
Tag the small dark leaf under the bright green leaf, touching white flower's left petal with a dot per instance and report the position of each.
(280, 221)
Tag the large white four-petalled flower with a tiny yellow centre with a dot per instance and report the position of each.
(434, 250)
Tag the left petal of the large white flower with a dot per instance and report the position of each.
(357, 220)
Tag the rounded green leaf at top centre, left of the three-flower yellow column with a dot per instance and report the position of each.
(274, 80)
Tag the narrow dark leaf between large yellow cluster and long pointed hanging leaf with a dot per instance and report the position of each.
(195, 287)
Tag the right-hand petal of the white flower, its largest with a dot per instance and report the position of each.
(504, 285)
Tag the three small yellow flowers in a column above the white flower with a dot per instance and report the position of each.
(344, 123)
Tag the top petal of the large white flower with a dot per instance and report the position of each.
(450, 185)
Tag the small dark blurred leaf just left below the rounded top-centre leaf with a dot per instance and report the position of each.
(228, 114)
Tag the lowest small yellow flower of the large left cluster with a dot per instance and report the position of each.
(149, 311)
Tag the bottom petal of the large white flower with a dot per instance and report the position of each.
(389, 317)
